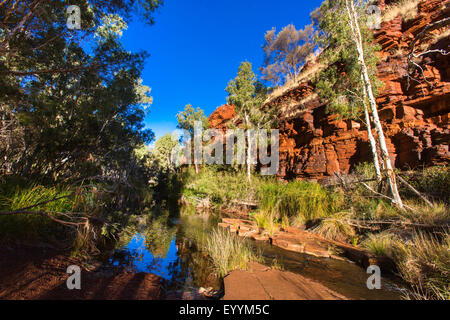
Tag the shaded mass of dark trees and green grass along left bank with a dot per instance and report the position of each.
(73, 105)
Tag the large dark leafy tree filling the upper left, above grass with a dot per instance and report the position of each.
(75, 94)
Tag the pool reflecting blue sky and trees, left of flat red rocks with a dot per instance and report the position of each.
(167, 247)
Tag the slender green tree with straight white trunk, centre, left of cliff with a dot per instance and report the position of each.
(247, 94)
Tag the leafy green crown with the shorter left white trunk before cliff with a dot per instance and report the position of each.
(340, 84)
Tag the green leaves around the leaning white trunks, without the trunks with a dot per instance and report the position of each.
(340, 84)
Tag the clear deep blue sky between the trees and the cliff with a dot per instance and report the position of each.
(196, 47)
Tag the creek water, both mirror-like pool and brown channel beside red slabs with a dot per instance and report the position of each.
(167, 247)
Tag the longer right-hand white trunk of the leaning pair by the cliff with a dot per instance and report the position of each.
(368, 85)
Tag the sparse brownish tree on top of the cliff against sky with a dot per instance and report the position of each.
(286, 52)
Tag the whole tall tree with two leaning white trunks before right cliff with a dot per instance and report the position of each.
(349, 84)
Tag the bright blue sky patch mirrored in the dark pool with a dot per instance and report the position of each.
(140, 259)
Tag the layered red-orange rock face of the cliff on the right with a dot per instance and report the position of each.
(415, 115)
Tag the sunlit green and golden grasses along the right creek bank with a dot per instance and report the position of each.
(422, 259)
